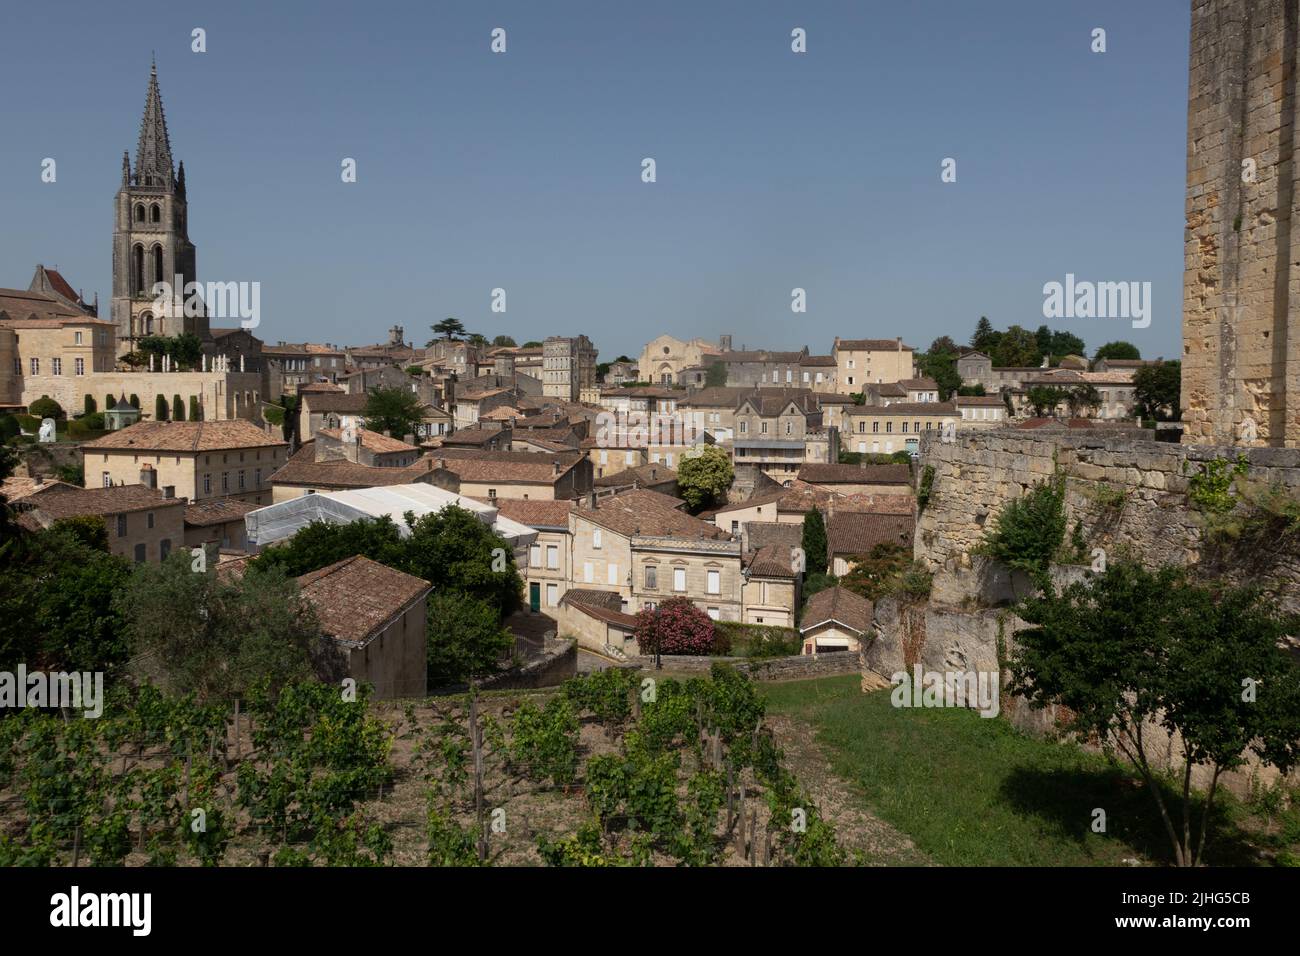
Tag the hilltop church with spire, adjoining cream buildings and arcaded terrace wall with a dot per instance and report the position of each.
(55, 345)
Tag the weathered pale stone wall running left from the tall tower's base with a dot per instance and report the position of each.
(980, 473)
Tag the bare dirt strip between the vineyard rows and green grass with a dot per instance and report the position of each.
(869, 840)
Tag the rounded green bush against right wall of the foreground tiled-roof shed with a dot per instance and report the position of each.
(466, 638)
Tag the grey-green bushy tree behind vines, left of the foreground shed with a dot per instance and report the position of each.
(218, 638)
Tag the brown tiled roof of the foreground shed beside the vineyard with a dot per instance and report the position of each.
(357, 598)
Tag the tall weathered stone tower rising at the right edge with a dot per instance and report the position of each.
(1241, 291)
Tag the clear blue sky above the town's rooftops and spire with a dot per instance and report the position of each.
(523, 171)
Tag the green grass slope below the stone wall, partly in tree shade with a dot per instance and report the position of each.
(973, 791)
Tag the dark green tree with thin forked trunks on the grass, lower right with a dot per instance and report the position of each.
(1136, 650)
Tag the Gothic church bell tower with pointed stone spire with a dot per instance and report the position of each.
(150, 235)
